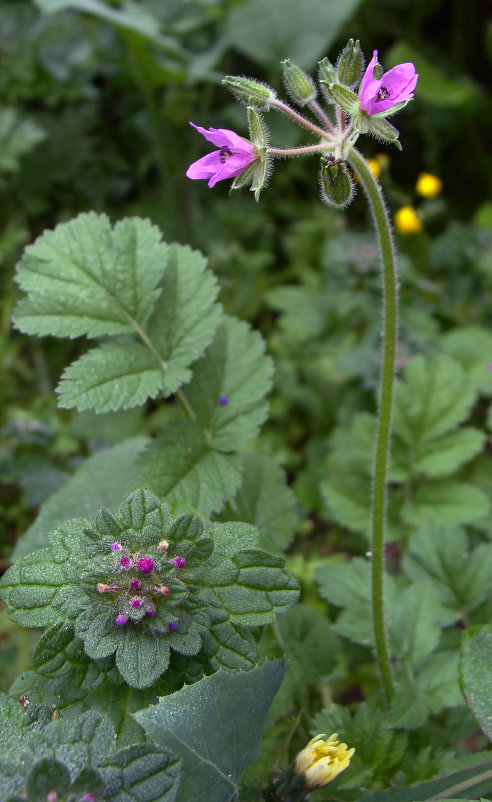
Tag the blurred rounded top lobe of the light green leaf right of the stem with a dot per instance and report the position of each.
(432, 400)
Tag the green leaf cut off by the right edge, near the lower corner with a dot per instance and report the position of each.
(476, 674)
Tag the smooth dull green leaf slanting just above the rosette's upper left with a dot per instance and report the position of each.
(103, 480)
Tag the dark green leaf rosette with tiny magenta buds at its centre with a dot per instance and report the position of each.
(141, 583)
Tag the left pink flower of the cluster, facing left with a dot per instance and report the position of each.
(232, 158)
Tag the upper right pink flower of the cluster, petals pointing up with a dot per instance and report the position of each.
(396, 86)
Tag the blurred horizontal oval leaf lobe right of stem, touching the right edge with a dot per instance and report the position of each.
(445, 502)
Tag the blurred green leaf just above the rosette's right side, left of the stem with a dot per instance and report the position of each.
(264, 500)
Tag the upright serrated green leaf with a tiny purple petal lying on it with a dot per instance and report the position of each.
(235, 369)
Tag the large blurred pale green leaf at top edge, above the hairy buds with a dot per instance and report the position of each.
(268, 31)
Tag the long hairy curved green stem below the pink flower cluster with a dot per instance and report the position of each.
(383, 434)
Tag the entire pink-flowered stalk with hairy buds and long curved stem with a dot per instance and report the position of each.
(344, 103)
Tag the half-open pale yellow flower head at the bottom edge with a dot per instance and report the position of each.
(320, 761)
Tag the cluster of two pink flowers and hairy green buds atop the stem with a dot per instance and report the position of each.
(380, 94)
